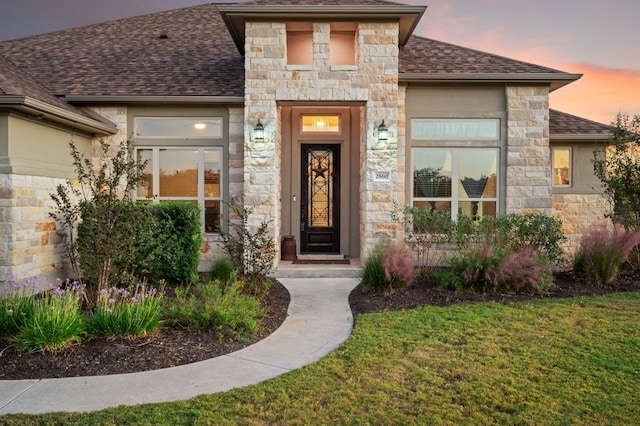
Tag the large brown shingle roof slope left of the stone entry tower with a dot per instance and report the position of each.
(131, 56)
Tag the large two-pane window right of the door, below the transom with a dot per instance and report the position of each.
(456, 180)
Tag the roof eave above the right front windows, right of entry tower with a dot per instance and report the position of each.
(555, 80)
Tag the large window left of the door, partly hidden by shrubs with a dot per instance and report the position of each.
(184, 173)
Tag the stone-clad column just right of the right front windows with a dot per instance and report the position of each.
(529, 179)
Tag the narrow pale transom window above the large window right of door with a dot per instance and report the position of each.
(456, 129)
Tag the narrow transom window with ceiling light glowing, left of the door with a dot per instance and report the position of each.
(178, 128)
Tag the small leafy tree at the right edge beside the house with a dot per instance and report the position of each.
(618, 168)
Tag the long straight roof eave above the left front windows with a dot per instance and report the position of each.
(132, 99)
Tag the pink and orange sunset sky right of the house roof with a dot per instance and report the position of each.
(576, 36)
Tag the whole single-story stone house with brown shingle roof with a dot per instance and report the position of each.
(319, 116)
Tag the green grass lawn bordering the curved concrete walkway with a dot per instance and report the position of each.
(572, 361)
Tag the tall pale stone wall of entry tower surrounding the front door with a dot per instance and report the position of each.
(374, 80)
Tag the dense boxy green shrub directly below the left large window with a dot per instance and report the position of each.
(173, 253)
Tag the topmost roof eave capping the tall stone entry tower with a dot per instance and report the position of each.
(235, 16)
